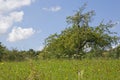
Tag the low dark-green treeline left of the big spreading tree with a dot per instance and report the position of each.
(16, 55)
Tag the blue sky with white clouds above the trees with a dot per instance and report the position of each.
(25, 24)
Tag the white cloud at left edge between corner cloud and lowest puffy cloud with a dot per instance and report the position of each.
(7, 21)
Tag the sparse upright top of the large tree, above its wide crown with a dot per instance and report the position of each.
(81, 19)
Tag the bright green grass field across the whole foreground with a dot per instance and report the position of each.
(61, 70)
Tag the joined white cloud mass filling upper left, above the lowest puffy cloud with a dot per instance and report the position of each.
(8, 13)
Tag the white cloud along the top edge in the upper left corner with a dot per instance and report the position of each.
(9, 5)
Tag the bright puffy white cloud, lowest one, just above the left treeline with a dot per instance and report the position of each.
(20, 34)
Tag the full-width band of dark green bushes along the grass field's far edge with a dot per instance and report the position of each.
(16, 55)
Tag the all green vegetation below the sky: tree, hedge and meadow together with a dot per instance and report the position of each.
(80, 52)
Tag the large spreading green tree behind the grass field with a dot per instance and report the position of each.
(74, 41)
